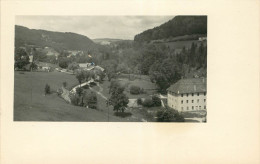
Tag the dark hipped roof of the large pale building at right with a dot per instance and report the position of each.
(192, 85)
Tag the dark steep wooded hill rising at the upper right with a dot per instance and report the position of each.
(178, 26)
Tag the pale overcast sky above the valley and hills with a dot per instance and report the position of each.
(118, 27)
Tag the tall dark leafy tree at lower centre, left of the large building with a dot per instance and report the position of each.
(118, 99)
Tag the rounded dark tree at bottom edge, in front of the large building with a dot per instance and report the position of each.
(169, 115)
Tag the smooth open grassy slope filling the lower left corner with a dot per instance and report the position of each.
(34, 106)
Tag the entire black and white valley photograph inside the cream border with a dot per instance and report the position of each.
(110, 68)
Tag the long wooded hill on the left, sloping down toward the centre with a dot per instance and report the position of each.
(57, 40)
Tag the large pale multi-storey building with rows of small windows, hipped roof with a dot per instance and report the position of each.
(188, 94)
